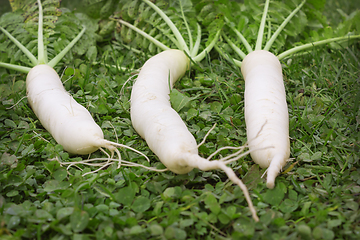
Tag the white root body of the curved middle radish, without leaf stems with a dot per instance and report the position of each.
(161, 126)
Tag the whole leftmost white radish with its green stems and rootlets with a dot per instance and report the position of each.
(69, 123)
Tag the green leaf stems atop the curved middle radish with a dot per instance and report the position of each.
(165, 29)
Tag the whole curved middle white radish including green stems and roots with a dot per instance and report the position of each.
(151, 113)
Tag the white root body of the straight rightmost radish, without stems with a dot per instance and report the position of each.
(266, 112)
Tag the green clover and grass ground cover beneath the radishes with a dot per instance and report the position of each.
(318, 198)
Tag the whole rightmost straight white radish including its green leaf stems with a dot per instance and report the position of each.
(266, 112)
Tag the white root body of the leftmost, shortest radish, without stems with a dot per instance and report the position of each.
(68, 122)
